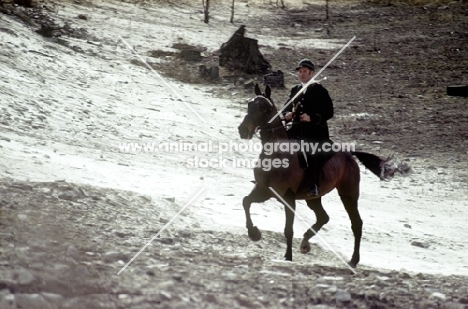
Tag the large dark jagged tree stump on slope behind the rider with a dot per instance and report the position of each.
(241, 53)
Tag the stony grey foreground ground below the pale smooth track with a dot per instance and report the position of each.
(64, 251)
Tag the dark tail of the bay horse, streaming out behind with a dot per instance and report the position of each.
(385, 169)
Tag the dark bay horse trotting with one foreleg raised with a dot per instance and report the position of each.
(341, 171)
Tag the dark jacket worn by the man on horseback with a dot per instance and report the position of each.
(316, 103)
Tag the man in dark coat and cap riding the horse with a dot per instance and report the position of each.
(309, 113)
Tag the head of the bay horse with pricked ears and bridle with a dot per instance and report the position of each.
(259, 111)
